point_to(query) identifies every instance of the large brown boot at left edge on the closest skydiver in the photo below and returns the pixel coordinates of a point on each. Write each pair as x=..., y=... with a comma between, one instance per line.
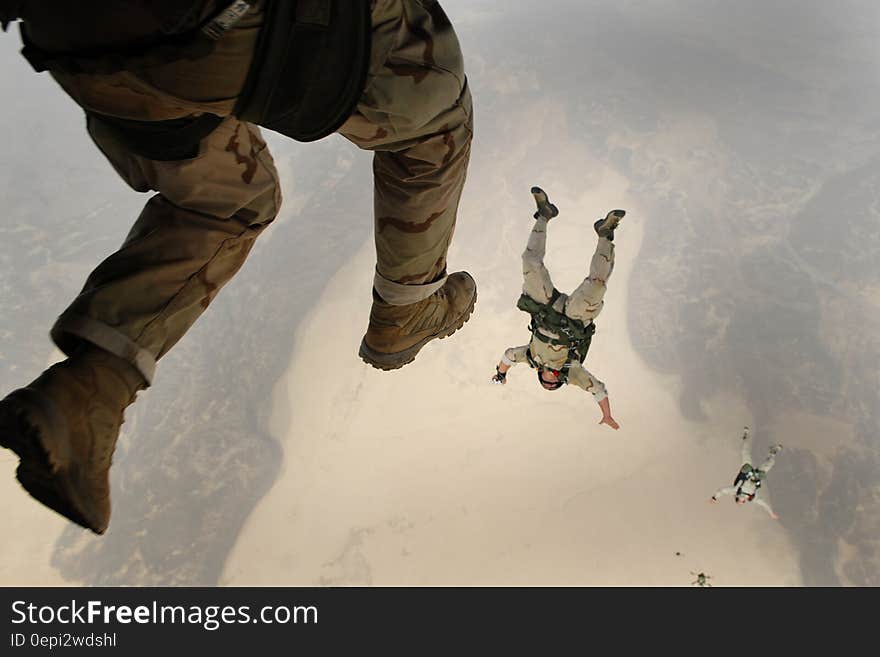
x=64, y=428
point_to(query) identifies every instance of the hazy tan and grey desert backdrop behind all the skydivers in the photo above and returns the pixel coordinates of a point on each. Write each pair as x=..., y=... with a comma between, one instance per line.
x=744, y=140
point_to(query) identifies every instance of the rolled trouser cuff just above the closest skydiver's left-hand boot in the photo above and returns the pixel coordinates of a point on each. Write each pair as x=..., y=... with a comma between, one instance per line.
x=70, y=329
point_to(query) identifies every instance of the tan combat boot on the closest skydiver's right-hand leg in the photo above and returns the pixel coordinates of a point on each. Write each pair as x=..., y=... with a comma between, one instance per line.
x=397, y=333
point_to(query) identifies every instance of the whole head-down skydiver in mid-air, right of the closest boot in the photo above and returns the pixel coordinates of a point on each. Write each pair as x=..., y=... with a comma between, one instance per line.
x=562, y=325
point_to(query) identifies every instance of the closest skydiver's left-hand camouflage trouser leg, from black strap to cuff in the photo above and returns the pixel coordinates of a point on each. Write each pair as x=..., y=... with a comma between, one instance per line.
x=190, y=239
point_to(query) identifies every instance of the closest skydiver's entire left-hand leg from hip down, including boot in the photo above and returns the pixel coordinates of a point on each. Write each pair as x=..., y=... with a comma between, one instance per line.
x=189, y=240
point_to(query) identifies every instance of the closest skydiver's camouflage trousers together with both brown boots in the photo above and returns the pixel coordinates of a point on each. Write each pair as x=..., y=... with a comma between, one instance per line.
x=196, y=232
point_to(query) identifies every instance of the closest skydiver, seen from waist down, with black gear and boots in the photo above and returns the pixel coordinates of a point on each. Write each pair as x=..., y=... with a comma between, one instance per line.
x=173, y=93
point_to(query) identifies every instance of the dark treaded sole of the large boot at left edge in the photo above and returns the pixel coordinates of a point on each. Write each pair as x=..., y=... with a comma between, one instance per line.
x=47, y=484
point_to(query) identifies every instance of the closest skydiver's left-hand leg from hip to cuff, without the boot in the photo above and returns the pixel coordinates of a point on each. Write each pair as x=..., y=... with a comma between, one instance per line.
x=196, y=232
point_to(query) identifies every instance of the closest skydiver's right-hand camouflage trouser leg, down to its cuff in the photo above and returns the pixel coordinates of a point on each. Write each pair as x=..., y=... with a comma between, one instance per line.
x=416, y=115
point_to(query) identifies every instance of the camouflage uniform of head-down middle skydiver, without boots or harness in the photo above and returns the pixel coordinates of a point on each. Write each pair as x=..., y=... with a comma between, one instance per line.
x=584, y=304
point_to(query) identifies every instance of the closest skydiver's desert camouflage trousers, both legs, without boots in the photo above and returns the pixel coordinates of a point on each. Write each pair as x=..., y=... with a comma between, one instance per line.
x=197, y=231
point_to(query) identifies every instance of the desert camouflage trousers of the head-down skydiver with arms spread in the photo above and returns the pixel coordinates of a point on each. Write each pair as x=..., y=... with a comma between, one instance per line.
x=586, y=302
